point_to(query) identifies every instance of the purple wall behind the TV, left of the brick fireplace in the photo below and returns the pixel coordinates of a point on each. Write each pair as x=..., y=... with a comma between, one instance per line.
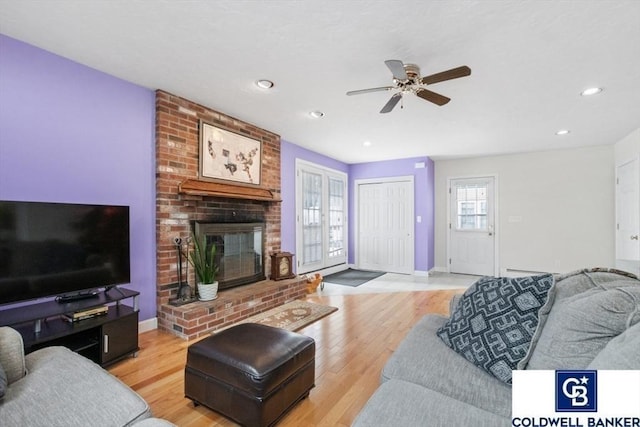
x=69, y=133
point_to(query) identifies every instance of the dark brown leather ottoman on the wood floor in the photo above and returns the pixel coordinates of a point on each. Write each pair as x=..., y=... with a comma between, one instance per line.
x=251, y=373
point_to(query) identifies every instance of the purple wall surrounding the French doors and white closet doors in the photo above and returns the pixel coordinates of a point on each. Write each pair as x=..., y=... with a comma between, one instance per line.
x=424, y=196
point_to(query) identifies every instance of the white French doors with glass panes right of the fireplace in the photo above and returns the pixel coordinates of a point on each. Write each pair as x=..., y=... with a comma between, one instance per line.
x=321, y=206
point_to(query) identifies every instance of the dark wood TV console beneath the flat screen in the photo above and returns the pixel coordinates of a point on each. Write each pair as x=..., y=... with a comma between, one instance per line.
x=103, y=339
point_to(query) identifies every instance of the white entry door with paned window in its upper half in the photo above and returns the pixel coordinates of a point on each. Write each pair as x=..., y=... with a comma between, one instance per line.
x=471, y=226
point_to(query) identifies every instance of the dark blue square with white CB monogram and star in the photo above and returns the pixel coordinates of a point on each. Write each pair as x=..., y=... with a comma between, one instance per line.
x=576, y=391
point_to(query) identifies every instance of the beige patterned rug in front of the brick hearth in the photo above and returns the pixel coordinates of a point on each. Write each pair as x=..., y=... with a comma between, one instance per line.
x=291, y=316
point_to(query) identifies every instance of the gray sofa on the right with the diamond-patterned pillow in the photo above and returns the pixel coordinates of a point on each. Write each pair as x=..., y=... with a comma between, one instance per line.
x=588, y=319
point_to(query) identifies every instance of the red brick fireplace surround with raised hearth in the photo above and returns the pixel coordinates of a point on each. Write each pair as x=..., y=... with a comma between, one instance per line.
x=177, y=141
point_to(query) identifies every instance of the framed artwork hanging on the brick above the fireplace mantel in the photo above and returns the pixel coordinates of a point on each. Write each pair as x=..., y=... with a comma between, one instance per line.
x=225, y=155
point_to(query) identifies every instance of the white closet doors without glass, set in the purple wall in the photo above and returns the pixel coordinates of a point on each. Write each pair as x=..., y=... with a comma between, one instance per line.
x=385, y=226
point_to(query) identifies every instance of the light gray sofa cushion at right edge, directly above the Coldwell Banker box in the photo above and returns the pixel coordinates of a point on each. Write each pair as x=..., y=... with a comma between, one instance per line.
x=622, y=352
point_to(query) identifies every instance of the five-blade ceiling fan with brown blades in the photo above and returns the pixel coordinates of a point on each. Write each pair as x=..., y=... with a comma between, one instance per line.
x=406, y=78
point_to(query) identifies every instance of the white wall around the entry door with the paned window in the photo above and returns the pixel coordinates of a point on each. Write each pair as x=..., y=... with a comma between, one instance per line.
x=565, y=199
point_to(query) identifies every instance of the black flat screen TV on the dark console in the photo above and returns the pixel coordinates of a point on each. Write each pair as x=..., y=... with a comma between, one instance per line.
x=52, y=249
